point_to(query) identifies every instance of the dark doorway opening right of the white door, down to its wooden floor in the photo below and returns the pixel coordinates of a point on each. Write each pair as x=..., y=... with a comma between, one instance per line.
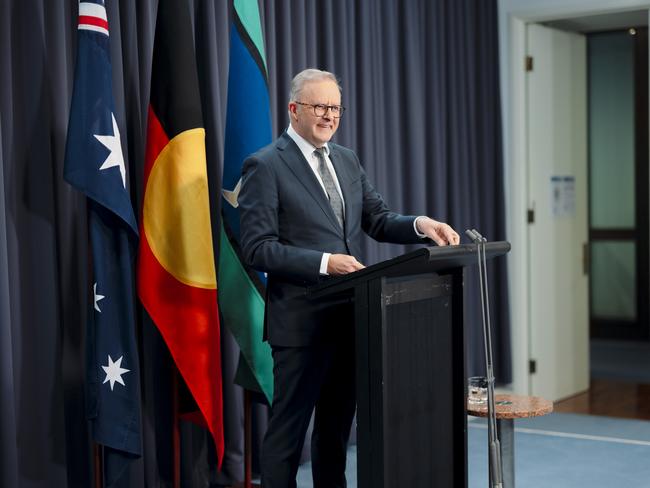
x=619, y=322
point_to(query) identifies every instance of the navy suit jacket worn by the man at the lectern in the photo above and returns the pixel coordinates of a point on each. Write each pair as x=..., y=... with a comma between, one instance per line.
x=287, y=224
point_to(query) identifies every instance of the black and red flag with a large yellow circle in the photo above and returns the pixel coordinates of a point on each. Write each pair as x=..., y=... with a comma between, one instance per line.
x=176, y=272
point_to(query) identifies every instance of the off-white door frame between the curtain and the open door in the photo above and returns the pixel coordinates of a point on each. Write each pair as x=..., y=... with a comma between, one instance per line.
x=512, y=40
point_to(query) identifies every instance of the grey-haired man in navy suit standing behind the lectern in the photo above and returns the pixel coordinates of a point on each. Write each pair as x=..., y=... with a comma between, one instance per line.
x=304, y=204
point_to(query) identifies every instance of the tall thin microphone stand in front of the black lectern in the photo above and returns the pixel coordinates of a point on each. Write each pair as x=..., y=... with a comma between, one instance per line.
x=494, y=447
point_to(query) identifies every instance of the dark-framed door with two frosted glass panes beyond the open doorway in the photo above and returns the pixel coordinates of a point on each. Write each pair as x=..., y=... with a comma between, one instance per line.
x=618, y=189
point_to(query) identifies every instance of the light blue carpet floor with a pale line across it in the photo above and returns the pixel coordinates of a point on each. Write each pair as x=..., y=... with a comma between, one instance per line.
x=559, y=450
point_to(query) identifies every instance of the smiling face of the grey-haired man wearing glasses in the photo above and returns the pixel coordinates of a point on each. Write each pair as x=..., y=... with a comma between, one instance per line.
x=317, y=130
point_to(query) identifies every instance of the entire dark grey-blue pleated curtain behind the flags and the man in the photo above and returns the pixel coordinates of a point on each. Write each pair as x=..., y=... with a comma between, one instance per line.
x=420, y=81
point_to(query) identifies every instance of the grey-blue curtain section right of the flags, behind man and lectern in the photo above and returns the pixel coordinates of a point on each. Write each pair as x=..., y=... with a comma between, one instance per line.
x=420, y=82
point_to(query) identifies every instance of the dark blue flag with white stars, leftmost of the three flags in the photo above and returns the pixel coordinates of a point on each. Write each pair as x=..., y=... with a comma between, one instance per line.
x=94, y=164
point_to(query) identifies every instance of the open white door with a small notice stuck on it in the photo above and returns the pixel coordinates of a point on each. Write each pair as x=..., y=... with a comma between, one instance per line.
x=556, y=97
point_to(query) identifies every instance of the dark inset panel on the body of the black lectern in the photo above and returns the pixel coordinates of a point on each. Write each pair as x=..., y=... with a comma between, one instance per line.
x=417, y=380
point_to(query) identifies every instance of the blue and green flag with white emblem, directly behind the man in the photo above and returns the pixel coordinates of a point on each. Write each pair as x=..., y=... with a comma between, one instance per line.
x=248, y=128
